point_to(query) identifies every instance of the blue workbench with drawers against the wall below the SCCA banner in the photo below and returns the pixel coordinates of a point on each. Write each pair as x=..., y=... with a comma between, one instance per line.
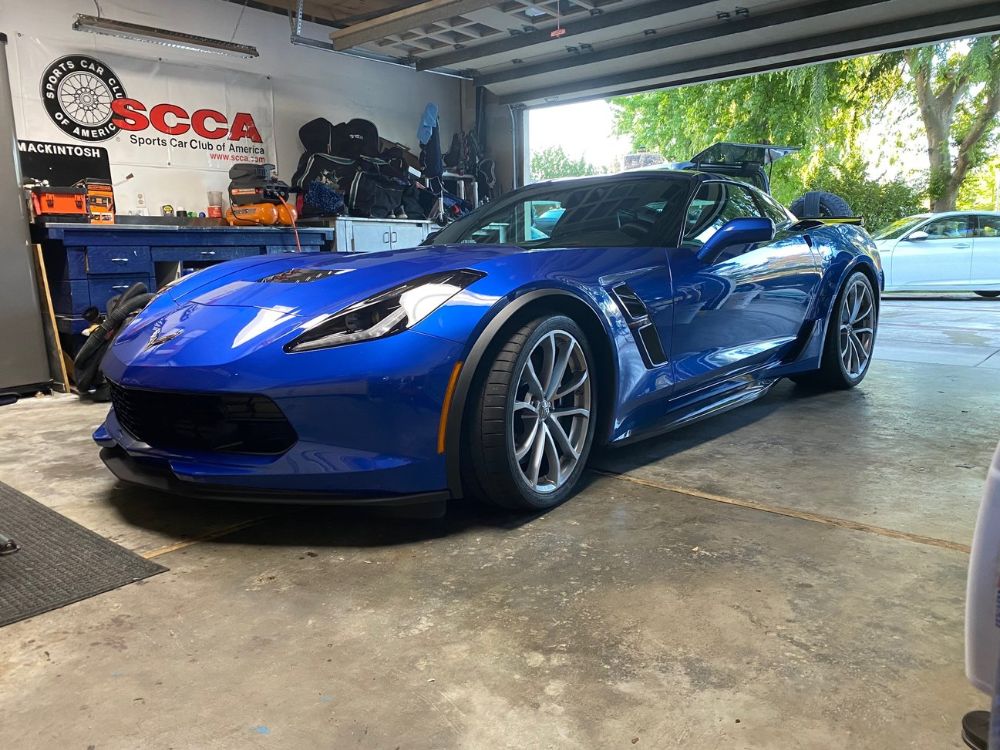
x=88, y=264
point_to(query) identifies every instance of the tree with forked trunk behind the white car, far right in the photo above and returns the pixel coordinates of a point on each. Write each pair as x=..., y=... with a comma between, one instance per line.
x=957, y=89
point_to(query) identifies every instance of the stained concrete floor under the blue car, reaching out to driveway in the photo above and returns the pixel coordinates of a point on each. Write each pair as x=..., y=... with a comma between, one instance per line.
x=790, y=574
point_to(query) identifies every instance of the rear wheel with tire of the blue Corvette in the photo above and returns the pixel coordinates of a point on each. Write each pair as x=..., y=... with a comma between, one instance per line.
x=850, y=337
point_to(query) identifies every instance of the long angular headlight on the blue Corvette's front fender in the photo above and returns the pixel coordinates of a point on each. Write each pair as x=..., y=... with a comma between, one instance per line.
x=384, y=314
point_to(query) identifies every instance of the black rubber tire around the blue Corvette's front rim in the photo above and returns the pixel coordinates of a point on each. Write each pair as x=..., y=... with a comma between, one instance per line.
x=491, y=472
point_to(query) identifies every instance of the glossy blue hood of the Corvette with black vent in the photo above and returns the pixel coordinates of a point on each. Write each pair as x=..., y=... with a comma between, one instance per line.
x=310, y=283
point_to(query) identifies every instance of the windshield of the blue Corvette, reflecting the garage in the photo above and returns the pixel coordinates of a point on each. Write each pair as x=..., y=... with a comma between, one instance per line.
x=627, y=211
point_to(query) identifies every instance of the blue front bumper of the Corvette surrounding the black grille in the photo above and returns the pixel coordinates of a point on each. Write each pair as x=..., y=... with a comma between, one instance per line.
x=366, y=419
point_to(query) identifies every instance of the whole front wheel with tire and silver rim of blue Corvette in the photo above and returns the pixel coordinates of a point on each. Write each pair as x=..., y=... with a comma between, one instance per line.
x=532, y=420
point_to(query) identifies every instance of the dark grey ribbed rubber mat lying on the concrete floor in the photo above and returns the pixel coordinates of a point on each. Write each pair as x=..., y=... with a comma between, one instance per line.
x=60, y=562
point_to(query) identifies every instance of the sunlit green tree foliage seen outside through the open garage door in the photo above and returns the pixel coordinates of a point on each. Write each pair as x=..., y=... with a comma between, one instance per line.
x=826, y=109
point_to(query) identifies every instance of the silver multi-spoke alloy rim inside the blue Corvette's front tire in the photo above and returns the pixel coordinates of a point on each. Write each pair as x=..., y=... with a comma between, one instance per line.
x=551, y=411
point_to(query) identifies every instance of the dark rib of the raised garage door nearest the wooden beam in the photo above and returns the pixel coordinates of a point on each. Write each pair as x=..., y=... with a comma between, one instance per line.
x=523, y=40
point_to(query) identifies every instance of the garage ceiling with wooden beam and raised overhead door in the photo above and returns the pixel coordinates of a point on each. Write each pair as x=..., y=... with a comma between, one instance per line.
x=554, y=51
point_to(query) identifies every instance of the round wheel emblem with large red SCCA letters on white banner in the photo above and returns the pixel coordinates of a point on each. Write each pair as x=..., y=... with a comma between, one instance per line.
x=85, y=98
